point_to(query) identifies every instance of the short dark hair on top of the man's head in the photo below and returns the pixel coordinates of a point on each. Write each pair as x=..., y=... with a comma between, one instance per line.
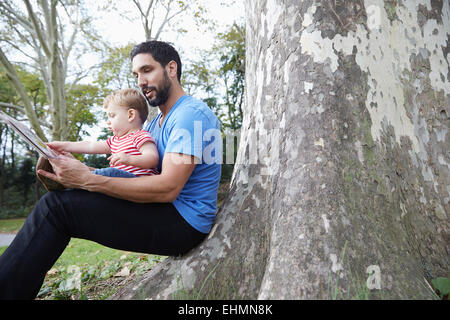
x=160, y=51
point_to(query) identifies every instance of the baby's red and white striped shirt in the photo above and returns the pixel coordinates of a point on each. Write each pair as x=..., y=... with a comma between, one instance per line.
x=130, y=144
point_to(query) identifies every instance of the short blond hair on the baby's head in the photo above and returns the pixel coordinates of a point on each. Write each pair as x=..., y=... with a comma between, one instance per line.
x=130, y=99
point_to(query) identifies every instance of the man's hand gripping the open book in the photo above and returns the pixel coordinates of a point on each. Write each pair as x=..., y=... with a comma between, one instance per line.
x=68, y=171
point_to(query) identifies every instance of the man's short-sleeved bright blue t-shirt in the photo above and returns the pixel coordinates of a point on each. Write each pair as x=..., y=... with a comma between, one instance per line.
x=192, y=128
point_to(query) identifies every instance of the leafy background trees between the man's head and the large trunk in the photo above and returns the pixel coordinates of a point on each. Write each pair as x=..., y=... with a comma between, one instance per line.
x=217, y=78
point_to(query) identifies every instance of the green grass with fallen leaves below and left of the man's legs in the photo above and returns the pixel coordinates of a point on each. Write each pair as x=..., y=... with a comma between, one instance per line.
x=97, y=265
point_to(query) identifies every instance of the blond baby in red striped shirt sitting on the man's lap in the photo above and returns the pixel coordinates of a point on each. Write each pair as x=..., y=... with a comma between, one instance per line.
x=133, y=150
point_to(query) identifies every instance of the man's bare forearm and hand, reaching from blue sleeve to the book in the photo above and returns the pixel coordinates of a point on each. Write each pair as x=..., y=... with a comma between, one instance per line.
x=165, y=187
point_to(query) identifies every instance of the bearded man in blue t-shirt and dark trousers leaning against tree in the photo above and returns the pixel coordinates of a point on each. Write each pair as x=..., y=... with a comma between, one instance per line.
x=166, y=214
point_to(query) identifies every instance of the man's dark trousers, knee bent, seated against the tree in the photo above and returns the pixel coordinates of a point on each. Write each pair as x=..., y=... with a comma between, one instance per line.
x=155, y=228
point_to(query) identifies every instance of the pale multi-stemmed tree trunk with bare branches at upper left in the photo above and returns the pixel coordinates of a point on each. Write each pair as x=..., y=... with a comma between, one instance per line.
x=43, y=25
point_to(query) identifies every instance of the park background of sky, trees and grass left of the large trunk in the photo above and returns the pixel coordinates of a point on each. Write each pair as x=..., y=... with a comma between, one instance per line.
x=93, y=40
